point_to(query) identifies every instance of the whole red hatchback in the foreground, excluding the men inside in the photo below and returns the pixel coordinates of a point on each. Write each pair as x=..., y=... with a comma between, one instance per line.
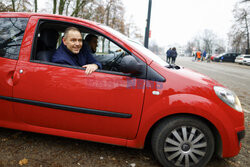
x=186, y=116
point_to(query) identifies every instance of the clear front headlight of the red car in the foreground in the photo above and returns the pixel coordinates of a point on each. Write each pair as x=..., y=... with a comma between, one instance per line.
x=229, y=97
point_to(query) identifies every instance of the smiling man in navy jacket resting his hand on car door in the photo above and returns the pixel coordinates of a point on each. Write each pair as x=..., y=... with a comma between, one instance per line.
x=70, y=52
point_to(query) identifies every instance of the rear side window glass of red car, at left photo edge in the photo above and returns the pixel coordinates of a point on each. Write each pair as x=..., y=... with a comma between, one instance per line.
x=11, y=35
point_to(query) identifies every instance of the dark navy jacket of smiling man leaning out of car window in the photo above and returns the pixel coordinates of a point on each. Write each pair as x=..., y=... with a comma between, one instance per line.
x=65, y=56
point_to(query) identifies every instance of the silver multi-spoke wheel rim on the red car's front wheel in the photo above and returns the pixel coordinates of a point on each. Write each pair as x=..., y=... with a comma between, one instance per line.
x=185, y=146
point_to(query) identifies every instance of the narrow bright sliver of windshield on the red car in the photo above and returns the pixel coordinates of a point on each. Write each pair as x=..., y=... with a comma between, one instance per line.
x=137, y=45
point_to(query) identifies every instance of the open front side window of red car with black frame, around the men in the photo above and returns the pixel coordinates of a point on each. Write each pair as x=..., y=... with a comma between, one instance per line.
x=108, y=53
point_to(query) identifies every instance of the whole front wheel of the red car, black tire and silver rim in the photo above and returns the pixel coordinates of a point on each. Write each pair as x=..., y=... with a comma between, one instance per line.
x=183, y=141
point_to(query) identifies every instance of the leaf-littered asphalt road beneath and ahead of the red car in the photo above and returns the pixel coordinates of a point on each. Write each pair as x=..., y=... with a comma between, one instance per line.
x=38, y=150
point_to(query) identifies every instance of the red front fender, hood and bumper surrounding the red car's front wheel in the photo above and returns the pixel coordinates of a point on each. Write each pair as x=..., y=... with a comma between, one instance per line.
x=194, y=101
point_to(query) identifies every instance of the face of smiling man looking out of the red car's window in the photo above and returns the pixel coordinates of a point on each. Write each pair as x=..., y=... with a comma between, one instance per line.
x=73, y=41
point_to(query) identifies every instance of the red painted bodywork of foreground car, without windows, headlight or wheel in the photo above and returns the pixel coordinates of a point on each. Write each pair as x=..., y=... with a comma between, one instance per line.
x=38, y=97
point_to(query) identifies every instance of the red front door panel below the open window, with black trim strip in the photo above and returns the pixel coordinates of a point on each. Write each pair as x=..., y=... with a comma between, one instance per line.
x=64, y=97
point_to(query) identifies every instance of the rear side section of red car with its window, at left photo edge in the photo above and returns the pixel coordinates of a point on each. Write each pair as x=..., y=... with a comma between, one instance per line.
x=12, y=31
